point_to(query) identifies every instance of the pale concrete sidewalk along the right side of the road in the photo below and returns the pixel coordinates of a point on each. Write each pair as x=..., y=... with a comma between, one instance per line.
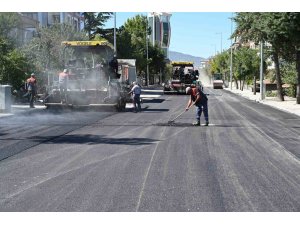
x=289, y=105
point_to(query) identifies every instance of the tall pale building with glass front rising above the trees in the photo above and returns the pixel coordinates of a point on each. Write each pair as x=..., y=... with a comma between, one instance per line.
x=161, y=30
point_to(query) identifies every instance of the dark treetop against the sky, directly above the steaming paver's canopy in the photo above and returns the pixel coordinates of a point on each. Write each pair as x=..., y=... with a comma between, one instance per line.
x=94, y=22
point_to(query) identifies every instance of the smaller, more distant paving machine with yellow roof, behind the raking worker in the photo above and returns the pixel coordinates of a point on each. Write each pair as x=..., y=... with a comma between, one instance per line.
x=183, y=75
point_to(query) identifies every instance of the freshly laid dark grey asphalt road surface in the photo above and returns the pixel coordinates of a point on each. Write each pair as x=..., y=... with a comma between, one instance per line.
x=246, y=160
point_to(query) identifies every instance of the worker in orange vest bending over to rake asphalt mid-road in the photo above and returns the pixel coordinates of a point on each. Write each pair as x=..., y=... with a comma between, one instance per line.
x=199, y=99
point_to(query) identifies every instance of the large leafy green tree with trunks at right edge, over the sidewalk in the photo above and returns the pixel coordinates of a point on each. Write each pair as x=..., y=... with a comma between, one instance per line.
x=281, y=30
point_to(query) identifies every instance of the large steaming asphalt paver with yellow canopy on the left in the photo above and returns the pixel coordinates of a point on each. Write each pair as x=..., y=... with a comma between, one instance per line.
x=93, y=78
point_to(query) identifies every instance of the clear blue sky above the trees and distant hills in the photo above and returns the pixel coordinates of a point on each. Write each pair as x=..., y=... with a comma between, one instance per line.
x=193, y=33
